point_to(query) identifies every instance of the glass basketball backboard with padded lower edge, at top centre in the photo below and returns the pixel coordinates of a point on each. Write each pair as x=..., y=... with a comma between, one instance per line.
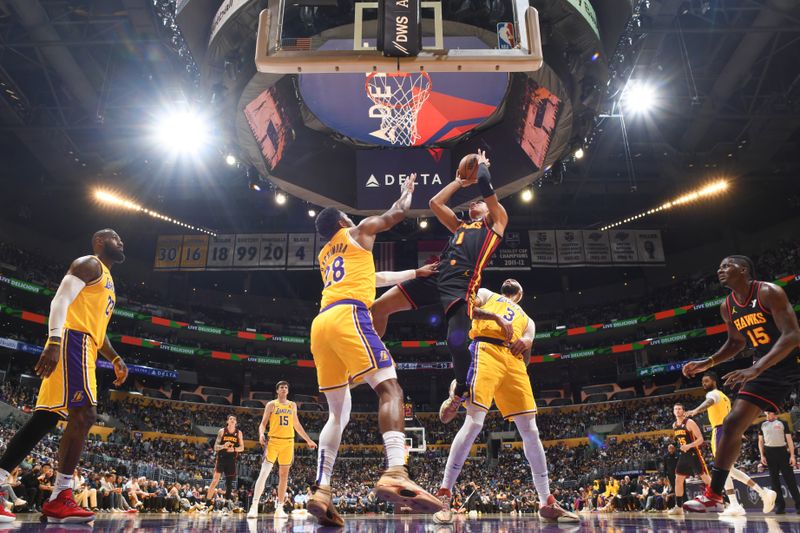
x=337, y=36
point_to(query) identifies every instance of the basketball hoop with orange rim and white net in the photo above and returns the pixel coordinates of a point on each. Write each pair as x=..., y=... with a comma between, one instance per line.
x=398, y=98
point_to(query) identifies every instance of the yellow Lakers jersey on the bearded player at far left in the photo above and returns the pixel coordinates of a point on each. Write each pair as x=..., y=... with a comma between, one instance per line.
x=91, y=310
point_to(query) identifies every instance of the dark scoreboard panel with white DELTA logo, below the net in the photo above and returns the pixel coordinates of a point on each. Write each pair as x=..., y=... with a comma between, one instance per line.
x=380, y=173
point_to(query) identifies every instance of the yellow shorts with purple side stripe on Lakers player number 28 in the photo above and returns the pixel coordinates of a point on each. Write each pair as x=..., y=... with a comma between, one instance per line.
x=345, y=346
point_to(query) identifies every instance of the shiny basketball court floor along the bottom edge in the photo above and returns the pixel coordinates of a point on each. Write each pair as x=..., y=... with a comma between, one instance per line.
x=611, y=523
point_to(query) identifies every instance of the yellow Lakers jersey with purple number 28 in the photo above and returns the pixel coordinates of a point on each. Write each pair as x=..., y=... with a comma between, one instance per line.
x=348, y=271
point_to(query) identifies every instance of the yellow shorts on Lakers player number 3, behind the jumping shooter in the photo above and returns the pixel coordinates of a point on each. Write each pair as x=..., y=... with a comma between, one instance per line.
x=495, y=374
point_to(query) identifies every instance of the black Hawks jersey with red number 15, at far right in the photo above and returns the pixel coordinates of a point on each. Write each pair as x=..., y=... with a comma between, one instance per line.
x=756, y=324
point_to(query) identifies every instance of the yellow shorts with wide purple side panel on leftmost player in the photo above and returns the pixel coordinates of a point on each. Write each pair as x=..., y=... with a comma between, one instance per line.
x=73, y=383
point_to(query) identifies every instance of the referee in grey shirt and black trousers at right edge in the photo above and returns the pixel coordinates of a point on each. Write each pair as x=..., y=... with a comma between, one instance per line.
x=777, y=454
